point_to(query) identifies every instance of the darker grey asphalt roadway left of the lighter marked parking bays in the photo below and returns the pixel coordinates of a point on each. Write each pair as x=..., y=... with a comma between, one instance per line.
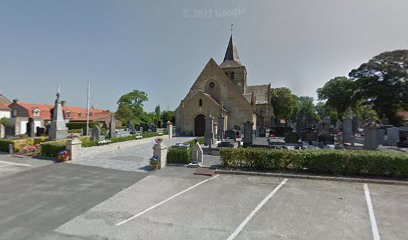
x=37, y=196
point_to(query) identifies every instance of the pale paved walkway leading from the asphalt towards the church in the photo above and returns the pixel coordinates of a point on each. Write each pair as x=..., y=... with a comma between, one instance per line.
x=129, y=159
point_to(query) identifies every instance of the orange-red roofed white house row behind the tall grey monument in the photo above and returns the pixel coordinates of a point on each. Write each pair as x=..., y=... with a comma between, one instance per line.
x=42, y=115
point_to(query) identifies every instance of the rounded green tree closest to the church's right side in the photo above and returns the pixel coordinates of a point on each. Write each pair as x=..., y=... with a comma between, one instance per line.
x=283, y=102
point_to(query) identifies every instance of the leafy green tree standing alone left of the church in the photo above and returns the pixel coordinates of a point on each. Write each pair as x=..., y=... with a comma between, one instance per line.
x=130, y=107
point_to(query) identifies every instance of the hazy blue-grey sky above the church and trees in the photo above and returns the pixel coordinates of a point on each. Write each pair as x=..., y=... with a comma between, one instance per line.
x=161, y=47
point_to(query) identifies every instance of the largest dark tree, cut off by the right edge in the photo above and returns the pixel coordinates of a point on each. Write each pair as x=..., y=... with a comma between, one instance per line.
x=383, y=81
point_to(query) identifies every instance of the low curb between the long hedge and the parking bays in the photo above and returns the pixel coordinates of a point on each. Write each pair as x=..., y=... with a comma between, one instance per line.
x=312, y=177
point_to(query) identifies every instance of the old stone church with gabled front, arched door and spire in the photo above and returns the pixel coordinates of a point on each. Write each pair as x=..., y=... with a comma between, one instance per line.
x=222, y=91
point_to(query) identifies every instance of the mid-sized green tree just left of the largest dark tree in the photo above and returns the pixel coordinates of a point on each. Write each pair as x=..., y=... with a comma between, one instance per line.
x=339, y=94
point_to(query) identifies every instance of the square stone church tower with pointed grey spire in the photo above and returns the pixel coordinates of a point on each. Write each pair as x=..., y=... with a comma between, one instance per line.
x=233, y=67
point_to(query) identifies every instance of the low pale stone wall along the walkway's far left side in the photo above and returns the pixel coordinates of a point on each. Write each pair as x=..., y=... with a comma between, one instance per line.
x=86, y=152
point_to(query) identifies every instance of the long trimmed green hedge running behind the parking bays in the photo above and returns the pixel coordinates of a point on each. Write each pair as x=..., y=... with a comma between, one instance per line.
x=324, y=161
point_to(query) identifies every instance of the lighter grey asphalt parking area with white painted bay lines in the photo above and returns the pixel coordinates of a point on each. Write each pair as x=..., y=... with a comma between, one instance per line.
x=175, y=204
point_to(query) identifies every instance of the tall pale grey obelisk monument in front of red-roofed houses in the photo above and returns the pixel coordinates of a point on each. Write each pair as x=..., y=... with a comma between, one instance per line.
x=58, y=128
